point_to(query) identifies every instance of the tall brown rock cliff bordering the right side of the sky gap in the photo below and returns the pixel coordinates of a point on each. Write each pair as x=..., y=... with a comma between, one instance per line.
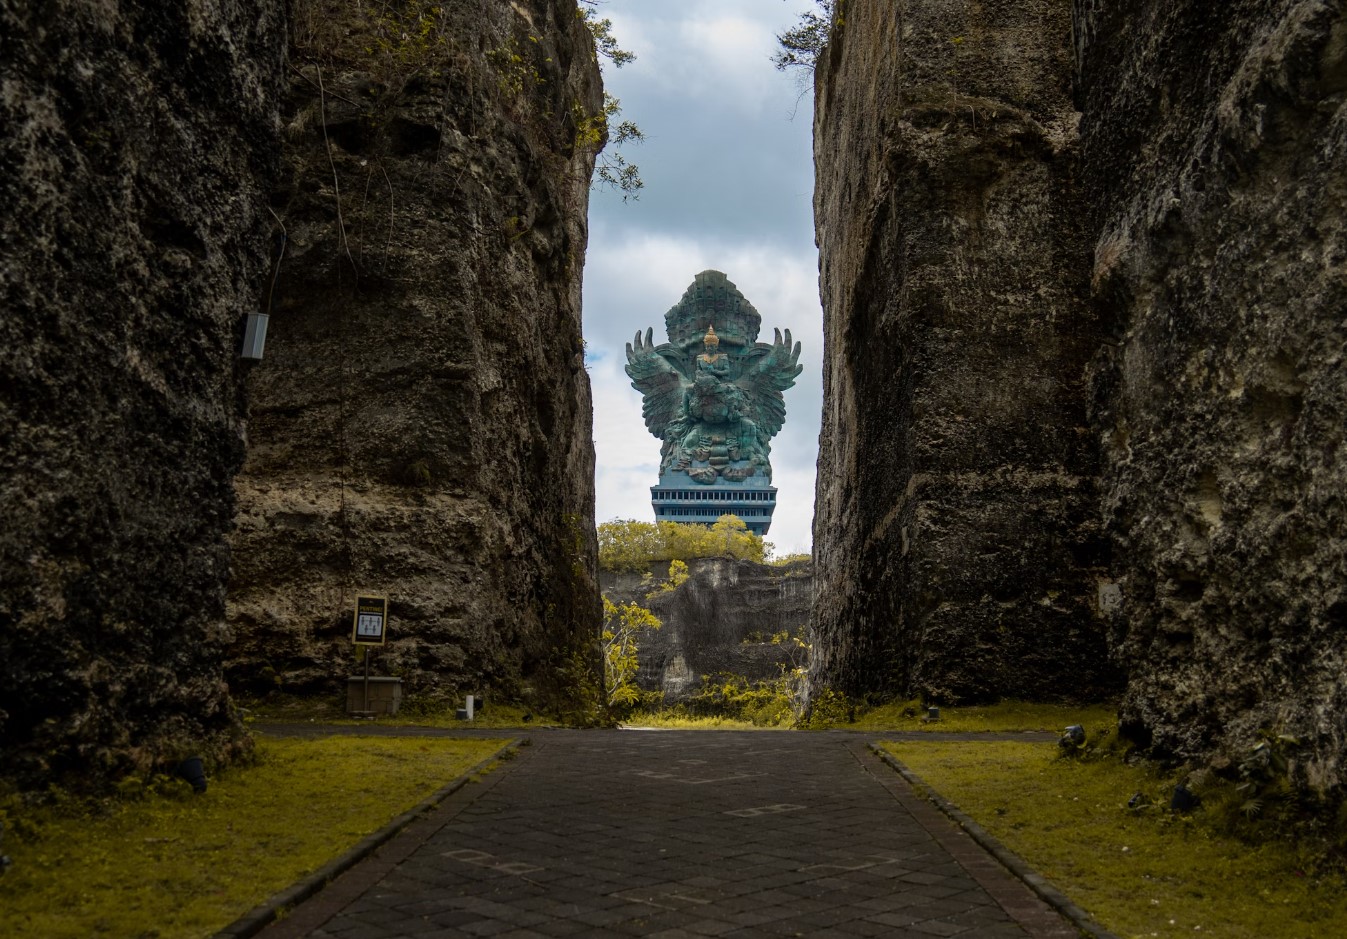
x=954, y=538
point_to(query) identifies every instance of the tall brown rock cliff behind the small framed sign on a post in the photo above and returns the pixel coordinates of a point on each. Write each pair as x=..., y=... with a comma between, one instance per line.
x=421, y=426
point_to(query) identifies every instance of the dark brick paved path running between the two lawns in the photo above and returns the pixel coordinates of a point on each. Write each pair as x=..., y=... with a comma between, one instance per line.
x=680, y=835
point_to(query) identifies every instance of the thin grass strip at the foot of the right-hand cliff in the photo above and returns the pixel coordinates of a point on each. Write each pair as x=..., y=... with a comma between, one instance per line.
x=1006, y=717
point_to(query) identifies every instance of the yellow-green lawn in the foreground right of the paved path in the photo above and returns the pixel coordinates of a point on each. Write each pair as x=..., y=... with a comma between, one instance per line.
x=1147, y=874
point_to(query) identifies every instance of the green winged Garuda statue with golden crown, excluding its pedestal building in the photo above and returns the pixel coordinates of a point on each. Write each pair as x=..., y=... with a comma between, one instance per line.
x=713, y=393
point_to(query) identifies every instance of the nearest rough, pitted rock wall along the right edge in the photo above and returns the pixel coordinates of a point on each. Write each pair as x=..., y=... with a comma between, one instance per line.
x=1216, y=142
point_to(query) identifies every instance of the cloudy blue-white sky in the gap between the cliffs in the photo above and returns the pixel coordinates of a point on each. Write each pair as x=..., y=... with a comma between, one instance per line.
x=729, y=181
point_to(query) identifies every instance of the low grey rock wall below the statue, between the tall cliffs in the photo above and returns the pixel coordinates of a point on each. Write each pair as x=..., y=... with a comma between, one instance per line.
x=720, y=620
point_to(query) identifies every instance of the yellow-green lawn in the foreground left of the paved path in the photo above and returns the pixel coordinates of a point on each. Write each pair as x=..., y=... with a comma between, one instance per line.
x=170, y=864
